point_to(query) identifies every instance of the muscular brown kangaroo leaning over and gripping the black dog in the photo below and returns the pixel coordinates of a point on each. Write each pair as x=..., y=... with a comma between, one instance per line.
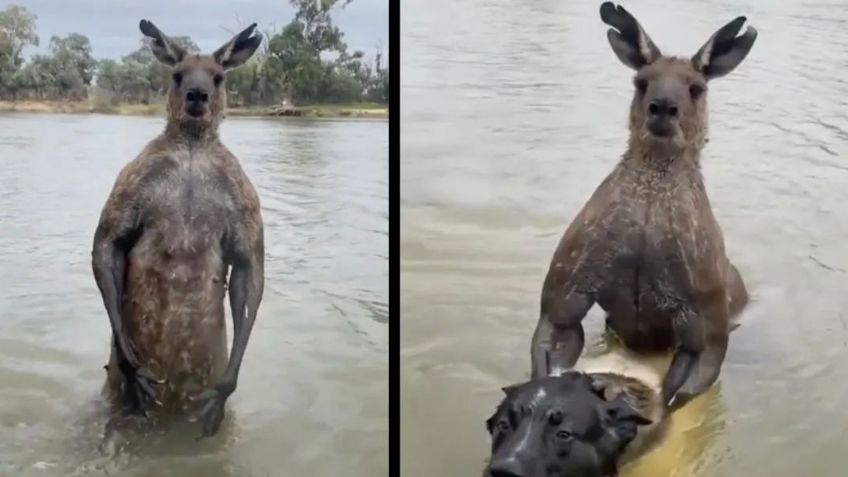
x=646, y=247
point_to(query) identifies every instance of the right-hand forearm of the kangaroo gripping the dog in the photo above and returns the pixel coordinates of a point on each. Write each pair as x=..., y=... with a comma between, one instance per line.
x=702, y=345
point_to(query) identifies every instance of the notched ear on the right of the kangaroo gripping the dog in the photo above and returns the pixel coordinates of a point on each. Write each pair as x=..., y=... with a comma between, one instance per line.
x=724, y=50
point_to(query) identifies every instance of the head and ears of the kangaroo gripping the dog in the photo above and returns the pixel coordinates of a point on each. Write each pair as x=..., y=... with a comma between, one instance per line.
x=669, y=106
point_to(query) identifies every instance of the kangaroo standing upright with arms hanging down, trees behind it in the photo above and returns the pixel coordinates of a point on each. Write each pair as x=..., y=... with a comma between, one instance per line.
x=179, y=217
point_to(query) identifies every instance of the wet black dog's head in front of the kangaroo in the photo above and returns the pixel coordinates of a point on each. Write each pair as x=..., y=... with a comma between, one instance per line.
x=560, y=427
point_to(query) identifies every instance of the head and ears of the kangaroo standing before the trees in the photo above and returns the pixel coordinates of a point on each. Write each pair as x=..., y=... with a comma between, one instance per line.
x=197, y=96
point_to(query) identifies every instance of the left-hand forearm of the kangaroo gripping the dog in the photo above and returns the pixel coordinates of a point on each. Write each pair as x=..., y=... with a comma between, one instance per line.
x=558, y=339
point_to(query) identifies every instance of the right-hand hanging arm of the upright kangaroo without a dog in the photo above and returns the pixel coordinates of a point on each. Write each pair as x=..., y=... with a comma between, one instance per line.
x=245, y=287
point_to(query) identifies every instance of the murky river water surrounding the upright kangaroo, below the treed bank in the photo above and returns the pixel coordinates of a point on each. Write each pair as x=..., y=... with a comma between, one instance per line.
x=312, y=395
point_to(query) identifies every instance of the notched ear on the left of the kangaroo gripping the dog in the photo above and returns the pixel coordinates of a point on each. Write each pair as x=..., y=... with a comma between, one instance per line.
x=630, y=43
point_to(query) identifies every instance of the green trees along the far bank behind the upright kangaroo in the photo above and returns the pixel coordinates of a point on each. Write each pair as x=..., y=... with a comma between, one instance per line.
x=306, y=62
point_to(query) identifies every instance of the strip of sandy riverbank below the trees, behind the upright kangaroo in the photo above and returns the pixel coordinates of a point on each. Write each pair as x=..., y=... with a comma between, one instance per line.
x=364, y=110
